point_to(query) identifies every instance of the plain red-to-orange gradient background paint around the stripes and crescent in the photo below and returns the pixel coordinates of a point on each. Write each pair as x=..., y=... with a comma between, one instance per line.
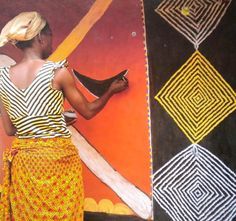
x=115, y=43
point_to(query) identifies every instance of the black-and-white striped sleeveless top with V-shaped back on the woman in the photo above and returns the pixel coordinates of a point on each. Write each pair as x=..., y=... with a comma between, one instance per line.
x=37, y=111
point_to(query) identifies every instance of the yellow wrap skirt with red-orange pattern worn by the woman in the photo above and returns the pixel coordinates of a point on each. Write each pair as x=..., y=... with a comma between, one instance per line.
x=43, y=181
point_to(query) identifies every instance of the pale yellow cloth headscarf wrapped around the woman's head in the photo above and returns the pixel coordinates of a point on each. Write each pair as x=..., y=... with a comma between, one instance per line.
x=23, y=27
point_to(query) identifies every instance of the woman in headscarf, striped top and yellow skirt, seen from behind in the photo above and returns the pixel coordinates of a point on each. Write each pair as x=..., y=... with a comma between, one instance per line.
x=43, y=171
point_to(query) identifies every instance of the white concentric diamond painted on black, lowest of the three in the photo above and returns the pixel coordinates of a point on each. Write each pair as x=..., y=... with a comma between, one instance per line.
x=196, y=186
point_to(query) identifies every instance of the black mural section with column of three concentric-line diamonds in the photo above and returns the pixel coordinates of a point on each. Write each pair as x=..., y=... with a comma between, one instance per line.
x=190, y=100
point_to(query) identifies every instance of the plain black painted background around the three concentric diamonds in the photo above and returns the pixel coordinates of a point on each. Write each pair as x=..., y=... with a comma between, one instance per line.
x=168, y=50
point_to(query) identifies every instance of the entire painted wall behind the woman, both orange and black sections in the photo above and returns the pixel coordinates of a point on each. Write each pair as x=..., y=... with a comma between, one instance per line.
x=178, y=114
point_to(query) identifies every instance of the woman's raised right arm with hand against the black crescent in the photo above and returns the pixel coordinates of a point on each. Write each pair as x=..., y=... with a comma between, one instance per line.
x=65, y=81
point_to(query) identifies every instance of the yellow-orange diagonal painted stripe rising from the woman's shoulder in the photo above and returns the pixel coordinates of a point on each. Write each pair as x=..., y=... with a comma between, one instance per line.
x=79, y=32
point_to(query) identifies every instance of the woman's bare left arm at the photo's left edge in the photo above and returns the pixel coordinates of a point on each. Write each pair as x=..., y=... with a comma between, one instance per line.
x=7, y=124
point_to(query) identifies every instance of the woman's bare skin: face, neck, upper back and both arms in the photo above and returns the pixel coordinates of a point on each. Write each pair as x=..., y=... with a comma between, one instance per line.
x=23, y=73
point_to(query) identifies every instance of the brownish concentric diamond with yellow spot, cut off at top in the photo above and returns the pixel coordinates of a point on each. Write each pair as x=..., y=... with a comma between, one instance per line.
x=195, y=19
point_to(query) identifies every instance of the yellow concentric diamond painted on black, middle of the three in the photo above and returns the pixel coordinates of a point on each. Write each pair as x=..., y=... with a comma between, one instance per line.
x=197, y=97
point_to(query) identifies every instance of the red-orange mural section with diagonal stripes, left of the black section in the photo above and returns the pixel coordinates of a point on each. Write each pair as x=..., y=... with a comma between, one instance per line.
x=99, y=41
